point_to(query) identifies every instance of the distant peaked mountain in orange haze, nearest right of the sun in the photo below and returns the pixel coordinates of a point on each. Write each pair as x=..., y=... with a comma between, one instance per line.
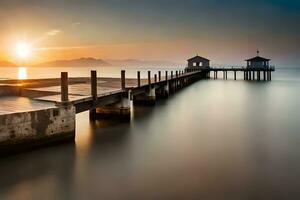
x=80, y=62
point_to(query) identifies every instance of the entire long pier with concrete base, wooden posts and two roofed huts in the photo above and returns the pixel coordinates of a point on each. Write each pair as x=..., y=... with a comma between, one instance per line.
x=41, y=111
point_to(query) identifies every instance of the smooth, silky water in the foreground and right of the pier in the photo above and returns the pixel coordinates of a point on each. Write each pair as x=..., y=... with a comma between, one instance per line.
x=216, y=139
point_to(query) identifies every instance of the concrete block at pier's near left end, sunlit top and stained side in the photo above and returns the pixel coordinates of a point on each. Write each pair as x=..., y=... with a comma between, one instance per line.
x=27, y=123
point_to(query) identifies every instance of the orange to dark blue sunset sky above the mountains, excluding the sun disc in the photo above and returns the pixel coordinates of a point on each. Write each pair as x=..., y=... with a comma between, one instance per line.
x=225, y=31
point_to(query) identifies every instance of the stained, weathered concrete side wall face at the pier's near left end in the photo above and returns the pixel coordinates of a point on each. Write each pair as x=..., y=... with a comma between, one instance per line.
x=28, y=129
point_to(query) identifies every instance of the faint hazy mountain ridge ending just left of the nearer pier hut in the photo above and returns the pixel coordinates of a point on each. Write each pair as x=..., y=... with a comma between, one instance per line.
x=143, y=63
